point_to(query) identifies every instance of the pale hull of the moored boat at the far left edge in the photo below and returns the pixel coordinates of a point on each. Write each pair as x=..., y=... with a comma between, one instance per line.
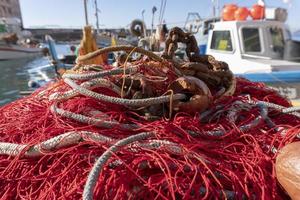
x=17, y=52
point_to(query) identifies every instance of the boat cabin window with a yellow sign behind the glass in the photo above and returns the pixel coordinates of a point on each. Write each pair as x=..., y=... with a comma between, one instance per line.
x=221, y=40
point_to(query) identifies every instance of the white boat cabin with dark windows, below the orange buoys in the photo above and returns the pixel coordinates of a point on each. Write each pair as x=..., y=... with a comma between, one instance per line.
x=250, y=46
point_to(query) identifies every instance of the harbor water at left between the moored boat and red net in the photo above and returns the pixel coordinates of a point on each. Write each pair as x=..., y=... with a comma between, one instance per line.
x=14, y=75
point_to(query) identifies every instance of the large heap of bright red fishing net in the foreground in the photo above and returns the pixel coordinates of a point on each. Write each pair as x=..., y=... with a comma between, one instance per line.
x=228, y=151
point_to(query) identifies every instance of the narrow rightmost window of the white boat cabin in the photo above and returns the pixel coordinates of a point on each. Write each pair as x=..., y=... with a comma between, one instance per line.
x=277, y=39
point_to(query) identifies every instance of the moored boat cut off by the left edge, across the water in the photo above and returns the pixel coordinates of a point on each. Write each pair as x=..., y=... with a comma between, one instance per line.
x=15, y=43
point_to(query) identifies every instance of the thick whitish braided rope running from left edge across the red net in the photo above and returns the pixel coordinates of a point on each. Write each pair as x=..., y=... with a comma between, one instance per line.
x=75, y=137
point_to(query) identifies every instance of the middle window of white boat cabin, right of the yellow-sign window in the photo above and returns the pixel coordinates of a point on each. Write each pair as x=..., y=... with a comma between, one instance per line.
x=251, y=40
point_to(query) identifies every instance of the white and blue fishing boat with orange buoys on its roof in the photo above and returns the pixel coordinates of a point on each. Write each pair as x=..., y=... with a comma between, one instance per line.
x=260, y=49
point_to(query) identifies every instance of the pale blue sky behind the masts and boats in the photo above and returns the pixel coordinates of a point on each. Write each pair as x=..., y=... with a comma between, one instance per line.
x=119, y=13
